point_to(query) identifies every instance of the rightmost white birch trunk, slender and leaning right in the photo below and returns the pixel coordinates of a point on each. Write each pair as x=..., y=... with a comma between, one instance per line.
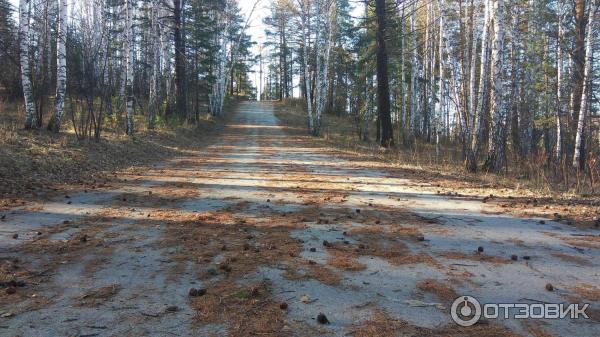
x=579, y=137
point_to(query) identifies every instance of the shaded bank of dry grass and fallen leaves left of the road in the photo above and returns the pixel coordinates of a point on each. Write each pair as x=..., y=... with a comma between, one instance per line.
x=34, y=164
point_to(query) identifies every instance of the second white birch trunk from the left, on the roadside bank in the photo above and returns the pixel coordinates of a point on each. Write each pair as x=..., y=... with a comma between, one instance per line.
x=61, y=68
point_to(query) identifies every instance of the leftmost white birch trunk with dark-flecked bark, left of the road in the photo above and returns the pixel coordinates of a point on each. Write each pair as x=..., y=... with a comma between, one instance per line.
x=24, y=24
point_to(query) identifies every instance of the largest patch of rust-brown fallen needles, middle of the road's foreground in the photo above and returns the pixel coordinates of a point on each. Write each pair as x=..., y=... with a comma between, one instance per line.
x=241, y=246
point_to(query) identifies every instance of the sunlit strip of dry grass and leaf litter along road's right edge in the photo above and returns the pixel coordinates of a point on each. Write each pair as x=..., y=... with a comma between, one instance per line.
x=444, y=174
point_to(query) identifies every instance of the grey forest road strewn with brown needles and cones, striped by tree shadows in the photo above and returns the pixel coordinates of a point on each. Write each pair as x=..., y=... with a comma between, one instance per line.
x=264, y=216
